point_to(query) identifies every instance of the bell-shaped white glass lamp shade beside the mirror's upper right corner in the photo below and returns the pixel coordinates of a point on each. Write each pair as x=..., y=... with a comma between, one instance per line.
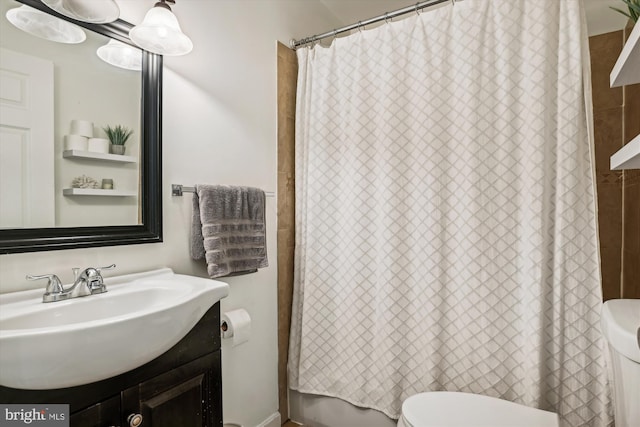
x=160, y=32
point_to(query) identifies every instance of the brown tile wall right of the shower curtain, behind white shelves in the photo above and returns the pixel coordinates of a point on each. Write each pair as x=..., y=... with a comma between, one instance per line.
x=616, y=121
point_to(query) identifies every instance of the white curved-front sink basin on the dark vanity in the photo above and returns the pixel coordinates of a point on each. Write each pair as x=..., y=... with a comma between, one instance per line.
x=82, y=340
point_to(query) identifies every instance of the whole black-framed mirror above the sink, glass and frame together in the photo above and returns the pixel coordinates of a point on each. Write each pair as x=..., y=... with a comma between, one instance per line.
x=81, y=196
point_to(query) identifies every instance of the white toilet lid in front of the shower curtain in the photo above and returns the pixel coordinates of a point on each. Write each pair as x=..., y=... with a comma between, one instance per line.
x=454, y=409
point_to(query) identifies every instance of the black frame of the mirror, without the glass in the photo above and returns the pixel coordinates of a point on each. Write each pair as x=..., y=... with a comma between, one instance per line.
x=47, y=239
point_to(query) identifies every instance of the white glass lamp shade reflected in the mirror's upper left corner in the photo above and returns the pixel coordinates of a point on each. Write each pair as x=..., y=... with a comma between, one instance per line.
x=45, y=26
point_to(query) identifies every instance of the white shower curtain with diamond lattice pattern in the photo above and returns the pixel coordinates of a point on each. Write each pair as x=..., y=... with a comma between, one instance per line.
x=445, y=212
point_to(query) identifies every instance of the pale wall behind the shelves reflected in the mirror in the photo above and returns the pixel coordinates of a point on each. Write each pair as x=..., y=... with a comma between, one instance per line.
x=104, y=95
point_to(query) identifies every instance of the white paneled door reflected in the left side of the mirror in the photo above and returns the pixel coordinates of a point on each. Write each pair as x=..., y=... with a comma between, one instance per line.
x=26, y=141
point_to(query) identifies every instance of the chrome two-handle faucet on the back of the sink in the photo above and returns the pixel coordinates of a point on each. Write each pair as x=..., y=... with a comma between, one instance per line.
x=88, y=282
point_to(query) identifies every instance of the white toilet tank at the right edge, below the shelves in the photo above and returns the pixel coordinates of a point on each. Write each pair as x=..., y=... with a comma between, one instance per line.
x=621, y=327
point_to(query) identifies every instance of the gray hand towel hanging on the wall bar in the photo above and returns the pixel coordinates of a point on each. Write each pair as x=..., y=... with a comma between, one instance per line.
x=228, y=229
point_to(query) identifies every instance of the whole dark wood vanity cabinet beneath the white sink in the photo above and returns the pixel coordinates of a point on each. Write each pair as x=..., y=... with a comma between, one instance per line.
x=181, y=388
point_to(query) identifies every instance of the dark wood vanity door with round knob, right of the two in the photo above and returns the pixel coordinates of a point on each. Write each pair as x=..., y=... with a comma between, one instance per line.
x=183, y=396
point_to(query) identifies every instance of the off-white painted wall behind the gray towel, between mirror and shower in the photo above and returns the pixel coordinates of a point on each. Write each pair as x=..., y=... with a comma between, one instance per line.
x=219, y=126
